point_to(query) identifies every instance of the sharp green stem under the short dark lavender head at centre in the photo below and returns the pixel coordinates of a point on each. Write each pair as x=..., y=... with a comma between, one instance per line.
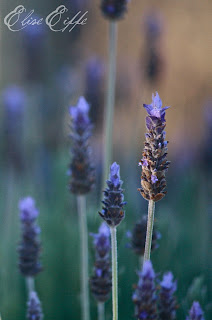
x=114, y=272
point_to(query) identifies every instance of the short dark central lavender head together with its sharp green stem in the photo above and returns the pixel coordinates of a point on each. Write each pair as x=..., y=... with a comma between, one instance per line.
x=113, y=214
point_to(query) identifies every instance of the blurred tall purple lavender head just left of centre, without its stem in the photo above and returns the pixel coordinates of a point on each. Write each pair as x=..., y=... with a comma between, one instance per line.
x=81, y=168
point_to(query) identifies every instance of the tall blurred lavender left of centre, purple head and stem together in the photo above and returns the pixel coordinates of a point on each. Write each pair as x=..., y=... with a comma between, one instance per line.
x=82, y=182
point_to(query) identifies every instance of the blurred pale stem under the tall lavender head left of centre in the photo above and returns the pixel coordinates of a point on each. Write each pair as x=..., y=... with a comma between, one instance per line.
x=81, y=203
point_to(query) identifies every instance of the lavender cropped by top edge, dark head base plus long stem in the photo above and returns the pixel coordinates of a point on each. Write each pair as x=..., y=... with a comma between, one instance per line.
x=112, y=10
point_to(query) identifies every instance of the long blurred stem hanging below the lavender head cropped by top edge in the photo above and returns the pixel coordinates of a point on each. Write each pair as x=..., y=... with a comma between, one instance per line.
x=110, y=100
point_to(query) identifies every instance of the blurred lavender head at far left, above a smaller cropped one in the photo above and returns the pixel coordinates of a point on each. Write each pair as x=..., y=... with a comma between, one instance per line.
x=29, y=247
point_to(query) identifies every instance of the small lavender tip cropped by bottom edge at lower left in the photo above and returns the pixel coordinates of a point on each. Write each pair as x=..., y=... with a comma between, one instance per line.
x=34, y=310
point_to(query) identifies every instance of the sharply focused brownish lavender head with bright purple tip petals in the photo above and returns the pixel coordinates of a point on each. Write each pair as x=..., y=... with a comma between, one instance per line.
x=154, y=162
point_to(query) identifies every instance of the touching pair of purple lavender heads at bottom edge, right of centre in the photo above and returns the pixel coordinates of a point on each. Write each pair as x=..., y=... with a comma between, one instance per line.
x=150, y=305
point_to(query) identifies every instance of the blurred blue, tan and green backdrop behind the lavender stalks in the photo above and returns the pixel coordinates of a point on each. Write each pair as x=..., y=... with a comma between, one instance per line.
x=164, y=46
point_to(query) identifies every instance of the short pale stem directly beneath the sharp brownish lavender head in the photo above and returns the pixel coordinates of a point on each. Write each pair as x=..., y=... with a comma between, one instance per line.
x=150, y=223
